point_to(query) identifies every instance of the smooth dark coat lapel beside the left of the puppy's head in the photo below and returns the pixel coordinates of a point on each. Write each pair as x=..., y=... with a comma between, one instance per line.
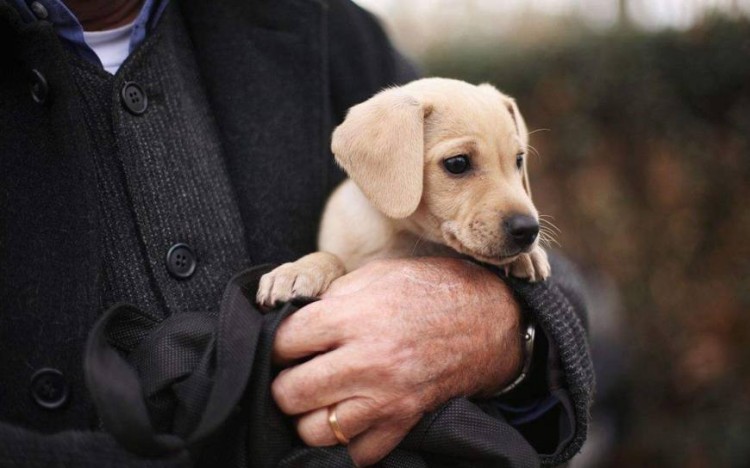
x=264, y=67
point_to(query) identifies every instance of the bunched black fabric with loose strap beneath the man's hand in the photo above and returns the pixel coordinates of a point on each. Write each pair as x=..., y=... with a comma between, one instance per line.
x=194, y=372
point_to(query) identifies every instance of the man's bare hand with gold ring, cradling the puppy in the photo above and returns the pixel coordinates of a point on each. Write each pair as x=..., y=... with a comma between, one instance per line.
x=390, y=341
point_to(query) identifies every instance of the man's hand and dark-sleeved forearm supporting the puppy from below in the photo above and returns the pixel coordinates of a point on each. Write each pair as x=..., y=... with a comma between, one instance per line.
x=397, y=338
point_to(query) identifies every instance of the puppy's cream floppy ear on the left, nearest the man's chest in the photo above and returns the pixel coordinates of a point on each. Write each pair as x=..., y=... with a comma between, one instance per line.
x=381, y=146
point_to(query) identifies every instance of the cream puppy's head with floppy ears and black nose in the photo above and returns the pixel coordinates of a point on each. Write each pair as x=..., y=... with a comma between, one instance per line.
x=449, y=159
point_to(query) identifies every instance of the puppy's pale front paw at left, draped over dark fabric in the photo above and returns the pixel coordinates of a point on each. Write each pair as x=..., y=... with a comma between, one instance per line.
x=309, y=276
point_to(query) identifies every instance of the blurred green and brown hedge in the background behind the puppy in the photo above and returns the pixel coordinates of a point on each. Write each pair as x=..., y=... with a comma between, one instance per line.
x=646, y=169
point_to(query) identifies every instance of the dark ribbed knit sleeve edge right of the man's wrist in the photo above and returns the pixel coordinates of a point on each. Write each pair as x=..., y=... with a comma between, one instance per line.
x=558, y=306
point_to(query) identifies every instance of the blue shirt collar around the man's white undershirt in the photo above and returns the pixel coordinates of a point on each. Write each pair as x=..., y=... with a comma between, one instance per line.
x=70, y=31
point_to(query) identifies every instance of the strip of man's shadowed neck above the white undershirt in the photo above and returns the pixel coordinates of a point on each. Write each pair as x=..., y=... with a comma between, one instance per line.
x=99, y=15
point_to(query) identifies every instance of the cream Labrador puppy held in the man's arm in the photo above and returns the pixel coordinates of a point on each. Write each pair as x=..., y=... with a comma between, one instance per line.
x=437, y=168
